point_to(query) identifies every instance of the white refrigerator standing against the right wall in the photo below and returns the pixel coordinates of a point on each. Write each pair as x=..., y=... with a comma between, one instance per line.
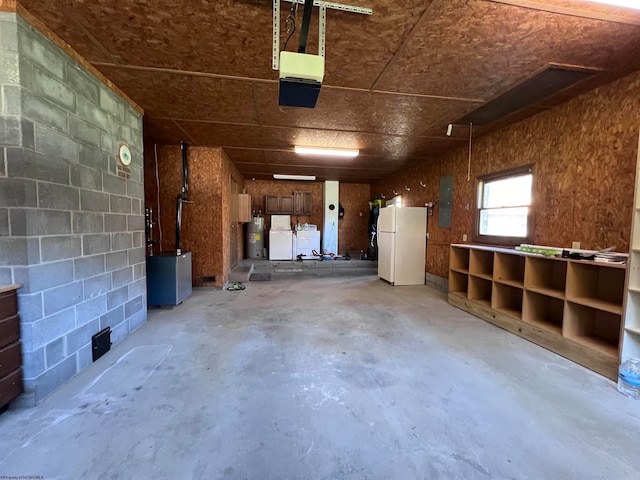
x=402, y=240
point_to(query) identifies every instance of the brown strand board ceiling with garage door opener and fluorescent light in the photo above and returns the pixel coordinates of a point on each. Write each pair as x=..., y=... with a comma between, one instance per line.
x=202, y=71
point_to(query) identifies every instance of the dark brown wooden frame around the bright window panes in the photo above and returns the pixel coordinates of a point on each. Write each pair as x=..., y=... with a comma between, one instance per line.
x=501, y=175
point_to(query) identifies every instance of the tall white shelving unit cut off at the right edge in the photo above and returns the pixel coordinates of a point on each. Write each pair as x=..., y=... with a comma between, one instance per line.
x=630, y=333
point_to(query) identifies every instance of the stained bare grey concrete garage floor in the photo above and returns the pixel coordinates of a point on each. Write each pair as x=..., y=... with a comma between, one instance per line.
x=325, y=374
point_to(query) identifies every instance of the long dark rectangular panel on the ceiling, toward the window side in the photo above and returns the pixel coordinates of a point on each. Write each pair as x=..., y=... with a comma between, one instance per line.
x=542, y=86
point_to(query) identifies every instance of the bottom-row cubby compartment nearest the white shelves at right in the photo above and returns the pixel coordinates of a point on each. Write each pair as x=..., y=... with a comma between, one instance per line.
x=594, y=328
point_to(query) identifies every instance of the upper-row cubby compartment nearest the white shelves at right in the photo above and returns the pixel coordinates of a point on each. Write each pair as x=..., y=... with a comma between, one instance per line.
x=596, y=286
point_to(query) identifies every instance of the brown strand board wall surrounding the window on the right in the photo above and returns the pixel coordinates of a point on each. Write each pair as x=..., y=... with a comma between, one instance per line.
x=584, y=153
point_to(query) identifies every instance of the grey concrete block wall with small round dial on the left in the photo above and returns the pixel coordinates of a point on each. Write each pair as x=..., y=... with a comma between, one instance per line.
x=71, y=224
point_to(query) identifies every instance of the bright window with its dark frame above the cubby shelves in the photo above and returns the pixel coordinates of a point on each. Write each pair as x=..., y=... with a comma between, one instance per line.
x=504, y=207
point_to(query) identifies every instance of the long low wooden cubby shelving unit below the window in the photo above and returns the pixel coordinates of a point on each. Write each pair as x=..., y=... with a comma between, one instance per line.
x=571, y=307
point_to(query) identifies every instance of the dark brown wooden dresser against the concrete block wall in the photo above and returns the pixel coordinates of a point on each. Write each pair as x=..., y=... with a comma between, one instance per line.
x=10, y=352
